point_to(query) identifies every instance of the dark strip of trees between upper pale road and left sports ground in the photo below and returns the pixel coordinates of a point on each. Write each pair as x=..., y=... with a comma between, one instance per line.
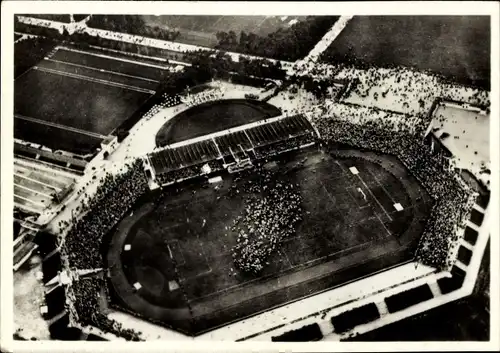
x=206, y=65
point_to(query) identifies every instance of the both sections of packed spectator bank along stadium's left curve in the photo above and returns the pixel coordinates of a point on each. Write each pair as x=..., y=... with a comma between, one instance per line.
x=81, y=246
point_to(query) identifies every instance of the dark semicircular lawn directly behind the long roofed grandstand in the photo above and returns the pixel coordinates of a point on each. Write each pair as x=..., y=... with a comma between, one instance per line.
x=210, y=117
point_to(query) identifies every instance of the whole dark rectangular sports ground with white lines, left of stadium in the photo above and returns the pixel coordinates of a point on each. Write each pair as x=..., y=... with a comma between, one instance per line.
x=74, y=99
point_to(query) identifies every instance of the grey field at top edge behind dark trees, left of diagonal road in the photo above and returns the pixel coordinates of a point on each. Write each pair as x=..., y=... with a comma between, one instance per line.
x=201, y=30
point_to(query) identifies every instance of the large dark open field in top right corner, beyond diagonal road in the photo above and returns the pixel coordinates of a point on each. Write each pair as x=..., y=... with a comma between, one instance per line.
x=454, y=46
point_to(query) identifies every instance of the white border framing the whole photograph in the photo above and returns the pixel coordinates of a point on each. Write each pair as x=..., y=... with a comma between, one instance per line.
x=9, y=8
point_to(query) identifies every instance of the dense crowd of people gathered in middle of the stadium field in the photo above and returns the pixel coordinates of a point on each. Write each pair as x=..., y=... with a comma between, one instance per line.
x=272, y=211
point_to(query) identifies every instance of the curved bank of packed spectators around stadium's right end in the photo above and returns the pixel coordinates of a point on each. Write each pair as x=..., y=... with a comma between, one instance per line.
x=454, y=199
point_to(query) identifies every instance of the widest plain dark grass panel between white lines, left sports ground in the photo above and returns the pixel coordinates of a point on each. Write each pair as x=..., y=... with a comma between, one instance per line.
x=73, y=102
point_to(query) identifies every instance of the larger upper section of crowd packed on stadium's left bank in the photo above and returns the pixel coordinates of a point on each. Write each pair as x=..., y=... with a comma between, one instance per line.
x=113, y=198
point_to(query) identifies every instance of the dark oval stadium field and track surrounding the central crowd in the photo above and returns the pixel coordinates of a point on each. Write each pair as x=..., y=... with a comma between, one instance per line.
x=170, y=261
